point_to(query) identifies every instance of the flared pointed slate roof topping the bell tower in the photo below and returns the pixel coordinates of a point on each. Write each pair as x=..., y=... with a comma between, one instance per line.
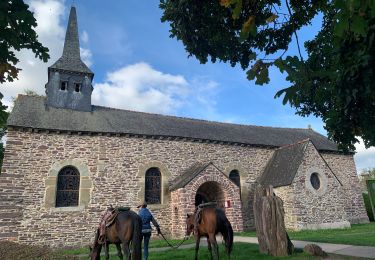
x=71, y=58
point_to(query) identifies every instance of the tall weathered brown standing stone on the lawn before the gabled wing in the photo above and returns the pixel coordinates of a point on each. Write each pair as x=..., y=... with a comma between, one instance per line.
x=269, y=223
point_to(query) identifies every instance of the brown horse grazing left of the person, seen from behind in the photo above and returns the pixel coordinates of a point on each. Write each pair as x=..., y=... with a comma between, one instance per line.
x=126, y=228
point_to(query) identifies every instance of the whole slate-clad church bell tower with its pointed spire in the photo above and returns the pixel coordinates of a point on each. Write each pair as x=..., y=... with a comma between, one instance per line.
x=69, y=79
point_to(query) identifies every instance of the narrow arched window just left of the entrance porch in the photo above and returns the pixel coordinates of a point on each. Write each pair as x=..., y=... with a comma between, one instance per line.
x=153, y=186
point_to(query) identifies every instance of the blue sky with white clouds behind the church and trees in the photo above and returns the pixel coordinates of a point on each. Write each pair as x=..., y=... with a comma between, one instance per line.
x=139, y=67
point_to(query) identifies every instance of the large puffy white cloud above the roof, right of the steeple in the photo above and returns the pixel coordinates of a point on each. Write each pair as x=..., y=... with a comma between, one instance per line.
x=142, y=88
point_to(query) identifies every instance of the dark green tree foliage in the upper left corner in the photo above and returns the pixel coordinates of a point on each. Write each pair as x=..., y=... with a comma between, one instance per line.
x=17, y=32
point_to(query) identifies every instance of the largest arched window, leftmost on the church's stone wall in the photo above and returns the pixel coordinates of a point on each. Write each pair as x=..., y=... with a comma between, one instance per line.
x=67, y=192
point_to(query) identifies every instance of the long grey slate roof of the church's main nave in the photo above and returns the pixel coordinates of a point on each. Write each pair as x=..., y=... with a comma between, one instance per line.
x=31, y=112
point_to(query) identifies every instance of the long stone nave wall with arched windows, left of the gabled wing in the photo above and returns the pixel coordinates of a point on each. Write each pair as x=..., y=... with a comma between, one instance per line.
x=114, y=166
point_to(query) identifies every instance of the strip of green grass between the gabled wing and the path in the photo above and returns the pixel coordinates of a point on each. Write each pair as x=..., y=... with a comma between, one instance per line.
x=359, y=234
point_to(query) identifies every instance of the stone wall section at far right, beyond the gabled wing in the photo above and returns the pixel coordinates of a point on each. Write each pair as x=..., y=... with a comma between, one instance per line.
x=344, y=168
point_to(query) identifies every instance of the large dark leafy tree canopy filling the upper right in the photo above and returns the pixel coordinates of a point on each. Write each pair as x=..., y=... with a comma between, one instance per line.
x=336, y=82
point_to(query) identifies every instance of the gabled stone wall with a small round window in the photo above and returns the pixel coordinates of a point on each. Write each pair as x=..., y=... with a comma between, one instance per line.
x=309, y=208
